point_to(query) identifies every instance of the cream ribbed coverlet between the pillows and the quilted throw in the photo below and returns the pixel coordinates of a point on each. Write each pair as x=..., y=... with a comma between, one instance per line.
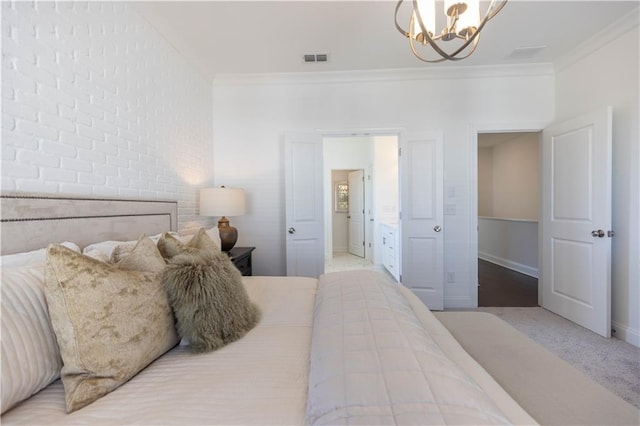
x=262, y=378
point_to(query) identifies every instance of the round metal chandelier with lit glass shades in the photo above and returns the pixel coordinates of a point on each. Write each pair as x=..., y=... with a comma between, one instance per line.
x=463, y=24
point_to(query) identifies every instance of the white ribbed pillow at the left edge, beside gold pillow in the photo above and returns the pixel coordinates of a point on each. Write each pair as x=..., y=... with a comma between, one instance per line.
x=30, y=355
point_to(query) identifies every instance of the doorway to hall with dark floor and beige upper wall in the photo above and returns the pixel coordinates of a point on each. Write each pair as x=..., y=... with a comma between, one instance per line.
x=508, y=206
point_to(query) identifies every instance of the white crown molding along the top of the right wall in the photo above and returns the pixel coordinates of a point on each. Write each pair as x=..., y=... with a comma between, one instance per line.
x=607, y=35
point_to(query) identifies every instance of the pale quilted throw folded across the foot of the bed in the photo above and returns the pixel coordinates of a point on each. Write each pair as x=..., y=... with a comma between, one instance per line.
x=373, y=362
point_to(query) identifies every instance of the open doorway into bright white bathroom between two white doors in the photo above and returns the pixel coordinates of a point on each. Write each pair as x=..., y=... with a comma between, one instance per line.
x=360, y=192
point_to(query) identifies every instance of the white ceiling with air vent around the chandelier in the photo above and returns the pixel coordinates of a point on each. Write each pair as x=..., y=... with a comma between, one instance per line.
x=255, y=37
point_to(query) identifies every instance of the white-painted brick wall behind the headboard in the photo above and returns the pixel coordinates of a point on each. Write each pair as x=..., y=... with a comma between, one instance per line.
x=96, y=102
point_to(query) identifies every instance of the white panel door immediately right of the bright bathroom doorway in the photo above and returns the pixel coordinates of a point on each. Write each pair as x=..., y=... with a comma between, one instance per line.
x=421, y=186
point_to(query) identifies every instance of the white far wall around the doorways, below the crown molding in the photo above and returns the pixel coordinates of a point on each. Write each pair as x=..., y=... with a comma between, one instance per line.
x=253, y=113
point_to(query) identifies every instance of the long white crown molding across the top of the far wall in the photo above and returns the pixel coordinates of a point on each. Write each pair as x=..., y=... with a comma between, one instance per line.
x=404, y=74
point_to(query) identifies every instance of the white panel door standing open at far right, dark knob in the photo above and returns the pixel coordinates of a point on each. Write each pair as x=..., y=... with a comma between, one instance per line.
x=576, y=220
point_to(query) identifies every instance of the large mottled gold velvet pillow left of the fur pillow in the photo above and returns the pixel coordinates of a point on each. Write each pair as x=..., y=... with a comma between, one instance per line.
x=110, y=322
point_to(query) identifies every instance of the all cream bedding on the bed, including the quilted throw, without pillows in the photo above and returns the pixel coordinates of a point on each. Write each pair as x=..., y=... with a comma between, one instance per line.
x=379, y=356
